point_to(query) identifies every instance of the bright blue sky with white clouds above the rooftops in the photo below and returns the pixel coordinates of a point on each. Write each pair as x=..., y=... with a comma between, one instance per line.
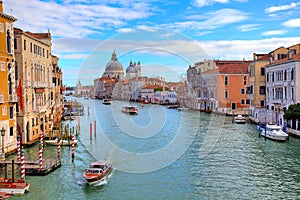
x=165, y=36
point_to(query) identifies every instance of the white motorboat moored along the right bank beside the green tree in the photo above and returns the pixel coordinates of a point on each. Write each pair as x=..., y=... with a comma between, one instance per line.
x=273, y=132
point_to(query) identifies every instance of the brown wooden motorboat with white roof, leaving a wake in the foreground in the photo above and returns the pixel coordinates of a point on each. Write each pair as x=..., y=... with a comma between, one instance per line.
x=97, y=171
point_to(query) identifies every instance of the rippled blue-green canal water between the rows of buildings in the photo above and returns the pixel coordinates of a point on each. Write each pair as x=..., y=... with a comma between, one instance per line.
x=169, y=154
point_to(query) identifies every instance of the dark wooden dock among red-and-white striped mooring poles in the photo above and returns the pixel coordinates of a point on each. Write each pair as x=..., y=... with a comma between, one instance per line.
x=32, y=168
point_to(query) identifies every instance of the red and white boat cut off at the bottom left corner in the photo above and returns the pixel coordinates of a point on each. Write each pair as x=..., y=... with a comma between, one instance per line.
x=13, y=186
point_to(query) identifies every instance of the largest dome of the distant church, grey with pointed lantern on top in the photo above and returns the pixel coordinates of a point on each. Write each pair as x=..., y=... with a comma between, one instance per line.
x=114, y=68
